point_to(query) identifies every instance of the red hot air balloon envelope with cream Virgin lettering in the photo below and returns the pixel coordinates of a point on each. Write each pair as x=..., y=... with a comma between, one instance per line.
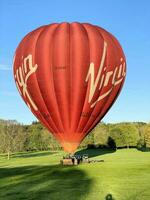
x=69, y=75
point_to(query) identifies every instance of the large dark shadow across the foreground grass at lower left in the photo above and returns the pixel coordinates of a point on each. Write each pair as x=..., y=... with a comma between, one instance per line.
x=44, y=183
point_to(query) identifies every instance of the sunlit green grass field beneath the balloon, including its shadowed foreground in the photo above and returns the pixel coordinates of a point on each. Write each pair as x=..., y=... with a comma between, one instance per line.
x=124, y=175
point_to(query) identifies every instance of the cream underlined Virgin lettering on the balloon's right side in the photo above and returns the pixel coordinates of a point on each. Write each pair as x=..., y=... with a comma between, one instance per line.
x=104, y=78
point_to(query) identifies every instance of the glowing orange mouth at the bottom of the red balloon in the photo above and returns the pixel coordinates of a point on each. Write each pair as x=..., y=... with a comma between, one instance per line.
x=70, y=147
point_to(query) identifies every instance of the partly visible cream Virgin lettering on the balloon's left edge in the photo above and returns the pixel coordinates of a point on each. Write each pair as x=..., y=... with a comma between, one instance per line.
x=23, y=73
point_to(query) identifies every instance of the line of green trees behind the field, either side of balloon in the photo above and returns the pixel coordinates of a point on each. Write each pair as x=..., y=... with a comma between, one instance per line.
x=15, y=137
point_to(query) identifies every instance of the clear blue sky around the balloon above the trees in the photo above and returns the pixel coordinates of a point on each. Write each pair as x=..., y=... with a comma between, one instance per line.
x=18, y=18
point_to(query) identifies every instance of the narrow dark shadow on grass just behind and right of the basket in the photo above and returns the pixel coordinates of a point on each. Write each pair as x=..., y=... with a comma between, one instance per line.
x=94, y=152
